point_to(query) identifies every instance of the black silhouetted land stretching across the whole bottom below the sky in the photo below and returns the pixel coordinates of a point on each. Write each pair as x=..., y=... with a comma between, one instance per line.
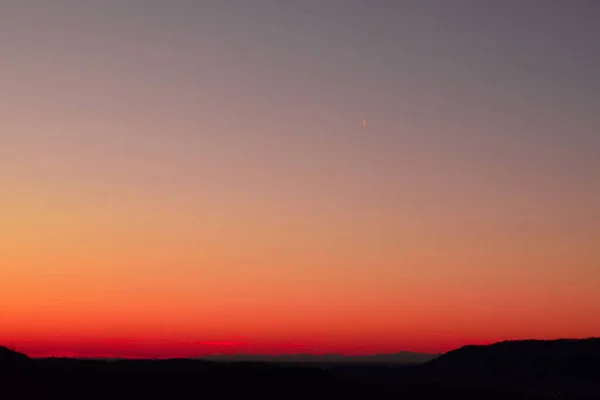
x=506, y=370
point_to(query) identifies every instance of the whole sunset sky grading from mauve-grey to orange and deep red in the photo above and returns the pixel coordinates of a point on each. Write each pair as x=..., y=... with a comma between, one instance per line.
x=181, y=178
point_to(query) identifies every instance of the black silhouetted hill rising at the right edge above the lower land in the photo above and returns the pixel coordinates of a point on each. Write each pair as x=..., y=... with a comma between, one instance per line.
x=564, y=365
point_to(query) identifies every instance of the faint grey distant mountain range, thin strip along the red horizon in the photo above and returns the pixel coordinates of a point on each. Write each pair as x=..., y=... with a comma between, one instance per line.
x=404, y=357
